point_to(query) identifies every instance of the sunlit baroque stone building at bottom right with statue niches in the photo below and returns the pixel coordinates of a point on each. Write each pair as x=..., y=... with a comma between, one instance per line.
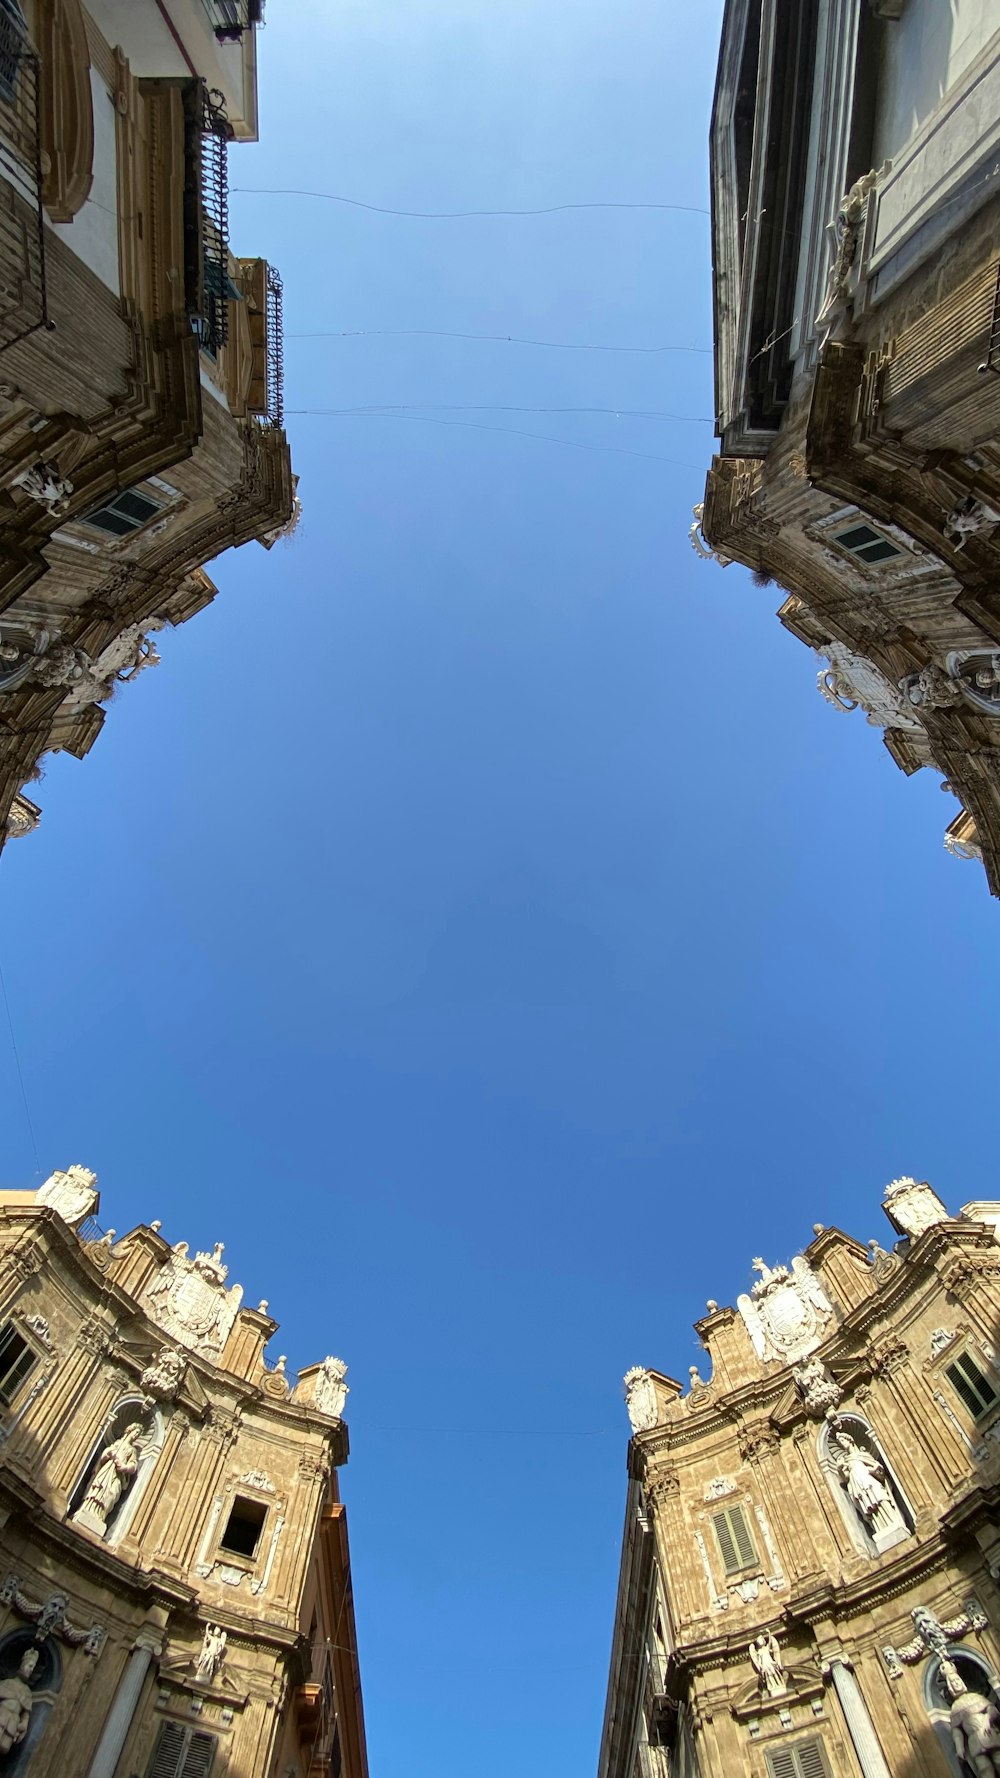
x=812, y=1539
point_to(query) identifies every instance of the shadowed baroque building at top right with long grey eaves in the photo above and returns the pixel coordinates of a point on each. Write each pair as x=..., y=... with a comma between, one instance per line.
x=857, y=296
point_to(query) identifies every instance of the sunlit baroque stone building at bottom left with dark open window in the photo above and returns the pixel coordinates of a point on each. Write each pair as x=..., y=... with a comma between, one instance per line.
x=175, y=1576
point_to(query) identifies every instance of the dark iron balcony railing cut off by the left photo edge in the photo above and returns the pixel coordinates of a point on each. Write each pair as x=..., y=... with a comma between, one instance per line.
x=24, y=301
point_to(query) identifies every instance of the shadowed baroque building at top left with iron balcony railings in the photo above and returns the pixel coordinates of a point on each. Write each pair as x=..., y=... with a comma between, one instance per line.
x=141, y=403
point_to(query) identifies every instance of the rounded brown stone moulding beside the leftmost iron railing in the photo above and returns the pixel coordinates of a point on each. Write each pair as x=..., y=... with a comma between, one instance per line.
x=67, y=108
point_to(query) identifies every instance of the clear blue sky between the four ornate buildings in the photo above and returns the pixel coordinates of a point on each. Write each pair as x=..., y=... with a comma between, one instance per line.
x=480, y=922
